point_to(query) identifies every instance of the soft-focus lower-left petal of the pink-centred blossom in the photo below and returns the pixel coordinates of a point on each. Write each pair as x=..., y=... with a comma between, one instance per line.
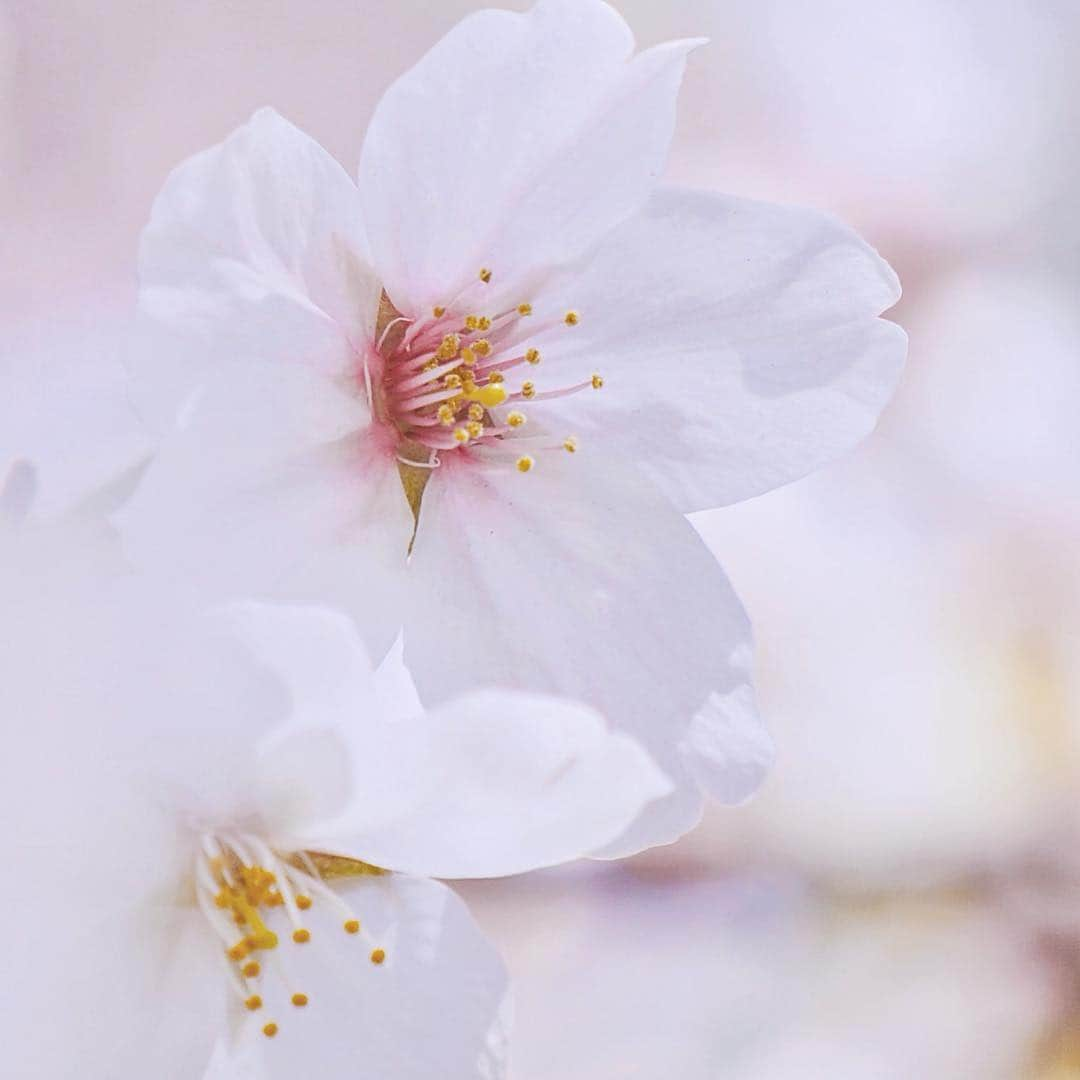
x=275, y=489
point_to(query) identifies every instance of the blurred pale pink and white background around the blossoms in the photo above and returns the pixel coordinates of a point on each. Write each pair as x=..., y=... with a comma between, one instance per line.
x=903, y=899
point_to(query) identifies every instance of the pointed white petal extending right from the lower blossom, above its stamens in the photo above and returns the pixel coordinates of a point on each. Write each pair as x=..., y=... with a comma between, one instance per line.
x=494, y=784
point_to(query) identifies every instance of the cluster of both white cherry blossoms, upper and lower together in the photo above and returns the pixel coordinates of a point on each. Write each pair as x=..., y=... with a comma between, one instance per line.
x=371, y=565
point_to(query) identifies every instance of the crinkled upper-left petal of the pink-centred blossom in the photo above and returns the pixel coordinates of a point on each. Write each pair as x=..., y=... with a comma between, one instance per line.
x=255, y=251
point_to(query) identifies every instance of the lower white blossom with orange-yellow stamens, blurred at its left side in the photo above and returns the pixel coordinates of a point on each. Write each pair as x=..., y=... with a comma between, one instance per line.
x=224, y=840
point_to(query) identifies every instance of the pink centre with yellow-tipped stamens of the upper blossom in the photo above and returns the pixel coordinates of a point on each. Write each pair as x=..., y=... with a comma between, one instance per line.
x=457, y=380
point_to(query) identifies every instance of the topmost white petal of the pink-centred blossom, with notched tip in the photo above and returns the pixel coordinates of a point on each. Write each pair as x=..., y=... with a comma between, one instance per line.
x=515, y=144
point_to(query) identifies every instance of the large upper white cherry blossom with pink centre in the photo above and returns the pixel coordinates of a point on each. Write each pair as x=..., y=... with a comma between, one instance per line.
x=482, y=387
